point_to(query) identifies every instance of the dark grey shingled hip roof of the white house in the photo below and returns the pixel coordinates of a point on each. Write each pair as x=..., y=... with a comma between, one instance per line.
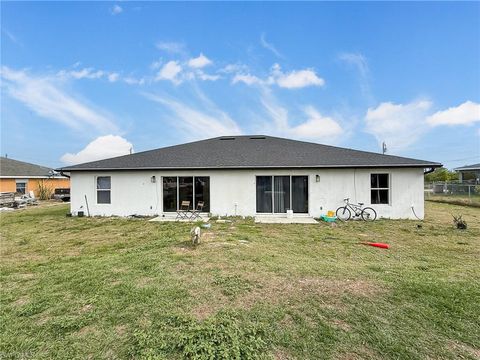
x=254, y=151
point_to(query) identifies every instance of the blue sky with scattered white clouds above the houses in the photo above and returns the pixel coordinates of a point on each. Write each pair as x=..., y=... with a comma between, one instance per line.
x=82, y=81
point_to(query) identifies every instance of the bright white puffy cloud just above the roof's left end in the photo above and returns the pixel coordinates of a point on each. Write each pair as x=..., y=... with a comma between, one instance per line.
x=103, y=147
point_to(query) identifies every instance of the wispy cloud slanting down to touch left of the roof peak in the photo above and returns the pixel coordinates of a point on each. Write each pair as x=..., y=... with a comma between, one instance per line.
x=198, y=123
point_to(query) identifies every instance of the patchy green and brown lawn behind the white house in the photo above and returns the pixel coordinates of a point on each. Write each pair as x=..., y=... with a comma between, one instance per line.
x=119, y=288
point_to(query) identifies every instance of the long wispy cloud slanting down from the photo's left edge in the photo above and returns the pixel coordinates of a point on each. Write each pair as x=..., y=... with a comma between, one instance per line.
x=44, y=96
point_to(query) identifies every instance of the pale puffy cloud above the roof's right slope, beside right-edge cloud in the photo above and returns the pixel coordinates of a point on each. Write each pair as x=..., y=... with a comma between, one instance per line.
x=399, y=125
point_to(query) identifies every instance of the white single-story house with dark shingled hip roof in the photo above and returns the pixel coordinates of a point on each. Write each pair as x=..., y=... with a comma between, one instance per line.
x=249, y=175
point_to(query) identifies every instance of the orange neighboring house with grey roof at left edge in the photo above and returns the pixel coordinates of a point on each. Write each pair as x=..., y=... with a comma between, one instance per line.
x=21, y=177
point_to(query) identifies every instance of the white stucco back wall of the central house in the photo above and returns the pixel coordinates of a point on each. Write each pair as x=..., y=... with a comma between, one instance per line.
x=233, y=192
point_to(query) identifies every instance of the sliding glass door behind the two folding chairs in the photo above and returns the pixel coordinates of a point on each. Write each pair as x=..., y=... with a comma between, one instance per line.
x=186, y=188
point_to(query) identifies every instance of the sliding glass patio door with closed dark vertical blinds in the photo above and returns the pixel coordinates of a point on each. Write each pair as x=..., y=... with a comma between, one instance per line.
x=277, y=194
